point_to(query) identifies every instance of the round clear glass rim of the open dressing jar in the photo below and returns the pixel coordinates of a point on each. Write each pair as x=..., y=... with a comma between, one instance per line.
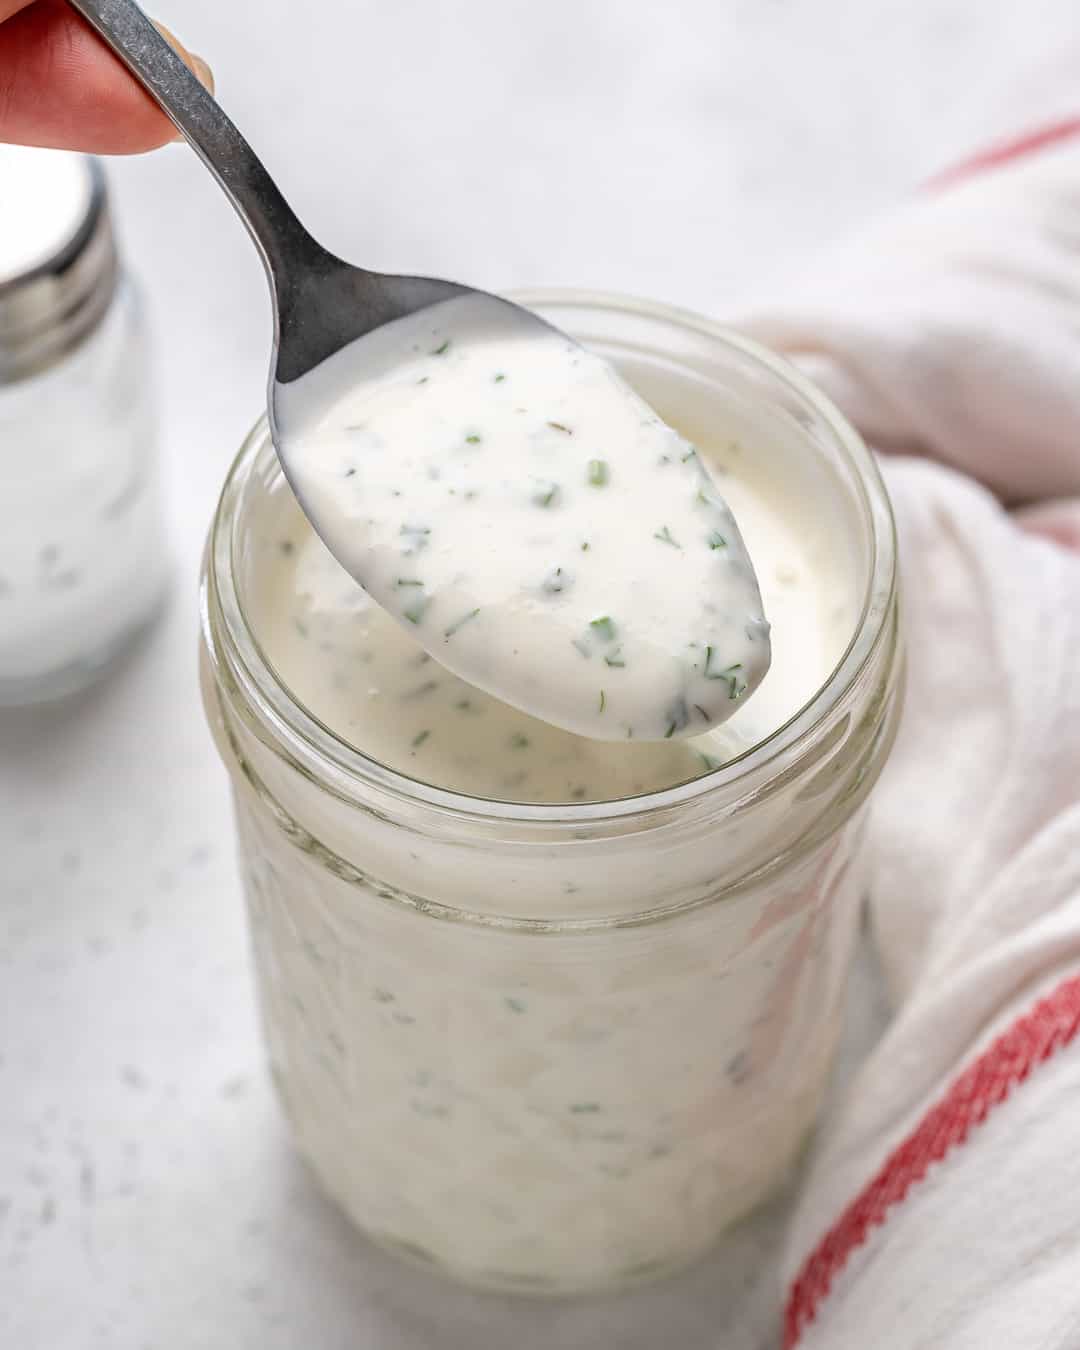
x=318, y=753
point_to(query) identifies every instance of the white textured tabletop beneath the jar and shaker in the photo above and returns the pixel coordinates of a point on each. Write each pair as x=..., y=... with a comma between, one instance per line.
x=691, y=152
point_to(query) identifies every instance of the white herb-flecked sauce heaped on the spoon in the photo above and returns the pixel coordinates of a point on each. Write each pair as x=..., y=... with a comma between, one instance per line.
x=531, y=522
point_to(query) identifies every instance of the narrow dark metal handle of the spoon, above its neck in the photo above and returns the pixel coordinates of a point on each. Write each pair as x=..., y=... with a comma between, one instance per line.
x=281, y=240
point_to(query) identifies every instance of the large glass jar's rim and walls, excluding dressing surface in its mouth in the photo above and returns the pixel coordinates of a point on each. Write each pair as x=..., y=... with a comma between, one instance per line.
x=554, y=1048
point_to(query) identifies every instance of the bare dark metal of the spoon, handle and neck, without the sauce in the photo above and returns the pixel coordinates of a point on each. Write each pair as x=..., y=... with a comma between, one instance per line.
x=322, y=304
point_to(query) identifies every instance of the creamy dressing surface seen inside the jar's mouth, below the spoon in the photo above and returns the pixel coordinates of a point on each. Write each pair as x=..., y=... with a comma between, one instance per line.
x=371, y=681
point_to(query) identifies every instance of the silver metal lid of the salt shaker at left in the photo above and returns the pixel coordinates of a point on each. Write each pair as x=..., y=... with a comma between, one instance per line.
x=59, y=265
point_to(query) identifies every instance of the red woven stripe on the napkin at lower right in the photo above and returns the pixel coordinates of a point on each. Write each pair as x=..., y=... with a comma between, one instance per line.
x=1052, y=1024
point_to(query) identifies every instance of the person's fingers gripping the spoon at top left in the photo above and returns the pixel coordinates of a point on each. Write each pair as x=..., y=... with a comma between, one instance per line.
x=60, y=86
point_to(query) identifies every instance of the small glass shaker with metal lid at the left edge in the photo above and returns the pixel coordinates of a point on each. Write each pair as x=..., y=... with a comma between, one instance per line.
x=83, y=565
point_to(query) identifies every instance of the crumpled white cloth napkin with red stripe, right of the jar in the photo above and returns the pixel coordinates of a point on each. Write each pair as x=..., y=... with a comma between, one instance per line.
x=943, y=1210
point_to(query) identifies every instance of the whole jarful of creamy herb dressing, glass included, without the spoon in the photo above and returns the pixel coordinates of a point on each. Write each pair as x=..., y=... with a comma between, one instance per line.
x=564, y=1044
